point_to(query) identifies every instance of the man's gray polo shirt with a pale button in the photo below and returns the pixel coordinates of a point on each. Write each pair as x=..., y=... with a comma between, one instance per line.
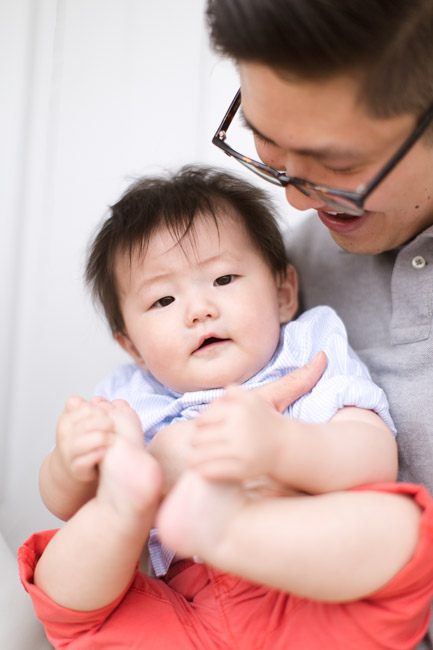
x=386, y=303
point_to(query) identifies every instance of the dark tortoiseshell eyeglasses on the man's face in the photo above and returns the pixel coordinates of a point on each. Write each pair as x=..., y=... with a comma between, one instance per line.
x=350, y=202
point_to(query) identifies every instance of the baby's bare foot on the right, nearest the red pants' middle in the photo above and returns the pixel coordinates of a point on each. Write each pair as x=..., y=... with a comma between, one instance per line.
x=194, y=518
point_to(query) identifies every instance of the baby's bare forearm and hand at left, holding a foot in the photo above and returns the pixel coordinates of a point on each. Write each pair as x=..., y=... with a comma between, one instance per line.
x=69, y=474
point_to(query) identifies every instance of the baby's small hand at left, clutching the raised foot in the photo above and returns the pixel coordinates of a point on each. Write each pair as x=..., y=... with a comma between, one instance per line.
x=84, y=432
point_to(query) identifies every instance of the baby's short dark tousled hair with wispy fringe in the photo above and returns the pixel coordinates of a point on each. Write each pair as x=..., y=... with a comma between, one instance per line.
x=173, y=202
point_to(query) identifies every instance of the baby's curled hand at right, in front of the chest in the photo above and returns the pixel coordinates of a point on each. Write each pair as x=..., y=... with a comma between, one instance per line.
x=237, y=438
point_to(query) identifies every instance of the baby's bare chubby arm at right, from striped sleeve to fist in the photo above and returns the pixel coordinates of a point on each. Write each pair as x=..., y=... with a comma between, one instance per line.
x=241, y=437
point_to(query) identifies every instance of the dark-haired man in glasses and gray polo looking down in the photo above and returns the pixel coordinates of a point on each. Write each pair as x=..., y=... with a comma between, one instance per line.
x=339, y=97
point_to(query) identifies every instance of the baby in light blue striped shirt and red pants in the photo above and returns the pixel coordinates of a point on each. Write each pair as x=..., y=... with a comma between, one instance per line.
x=192, y=274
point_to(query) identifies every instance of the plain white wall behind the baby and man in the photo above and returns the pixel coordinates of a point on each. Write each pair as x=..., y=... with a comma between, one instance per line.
x=94, y=93
